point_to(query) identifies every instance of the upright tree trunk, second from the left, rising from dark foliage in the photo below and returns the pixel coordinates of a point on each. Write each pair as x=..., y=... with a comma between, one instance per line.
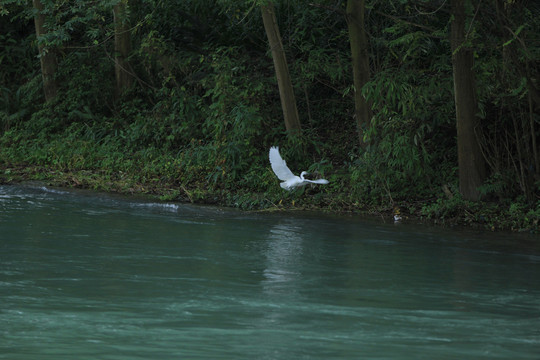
x=122, y=48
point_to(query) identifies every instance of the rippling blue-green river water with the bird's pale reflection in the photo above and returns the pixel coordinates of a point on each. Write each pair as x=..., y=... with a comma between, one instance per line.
x=93, y=276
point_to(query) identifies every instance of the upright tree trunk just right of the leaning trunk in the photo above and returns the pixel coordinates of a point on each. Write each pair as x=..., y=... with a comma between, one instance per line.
x=360, y=63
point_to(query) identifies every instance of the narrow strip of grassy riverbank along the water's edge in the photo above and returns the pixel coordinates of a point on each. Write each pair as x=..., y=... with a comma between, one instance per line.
x=449, y=211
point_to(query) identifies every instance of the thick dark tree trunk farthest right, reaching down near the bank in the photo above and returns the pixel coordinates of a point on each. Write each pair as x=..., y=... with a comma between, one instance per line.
x=471, y=163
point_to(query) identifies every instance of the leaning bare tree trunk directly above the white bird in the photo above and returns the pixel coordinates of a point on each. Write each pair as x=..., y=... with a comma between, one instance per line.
x=286, y=93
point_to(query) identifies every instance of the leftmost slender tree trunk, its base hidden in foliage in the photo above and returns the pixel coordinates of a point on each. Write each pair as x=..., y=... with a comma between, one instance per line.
x=47, y=55
